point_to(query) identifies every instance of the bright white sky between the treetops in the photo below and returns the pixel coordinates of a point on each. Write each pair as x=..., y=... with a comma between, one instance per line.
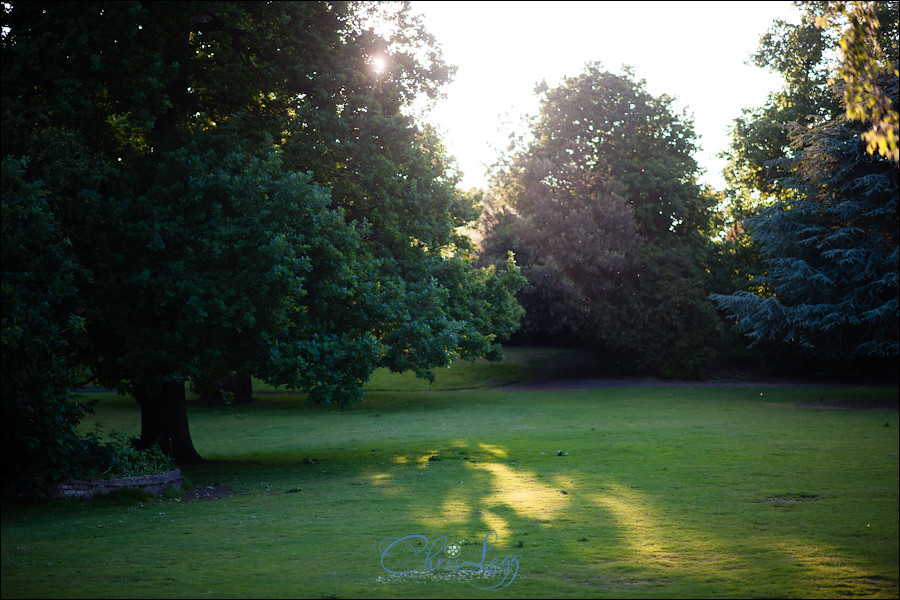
x=693, y=51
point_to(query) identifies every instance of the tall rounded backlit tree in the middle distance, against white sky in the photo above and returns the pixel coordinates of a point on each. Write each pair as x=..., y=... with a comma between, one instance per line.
x=602, y=209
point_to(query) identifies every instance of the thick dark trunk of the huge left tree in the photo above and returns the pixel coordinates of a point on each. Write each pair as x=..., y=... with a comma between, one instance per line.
x=164, y=422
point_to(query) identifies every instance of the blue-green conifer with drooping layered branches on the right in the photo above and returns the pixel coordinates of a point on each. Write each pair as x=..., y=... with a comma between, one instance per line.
x=830, y=248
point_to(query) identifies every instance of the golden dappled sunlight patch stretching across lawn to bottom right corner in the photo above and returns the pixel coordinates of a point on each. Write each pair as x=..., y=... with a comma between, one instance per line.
x=605, y=536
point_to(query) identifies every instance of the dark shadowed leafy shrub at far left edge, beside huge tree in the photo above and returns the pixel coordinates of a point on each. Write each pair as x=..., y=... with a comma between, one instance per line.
x=38, y=418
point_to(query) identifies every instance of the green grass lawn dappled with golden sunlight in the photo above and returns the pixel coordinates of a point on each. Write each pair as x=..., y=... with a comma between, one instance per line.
x=683, y=491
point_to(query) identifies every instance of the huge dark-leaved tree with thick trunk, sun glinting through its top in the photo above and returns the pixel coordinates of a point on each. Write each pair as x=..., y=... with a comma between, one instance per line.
x=246, y=195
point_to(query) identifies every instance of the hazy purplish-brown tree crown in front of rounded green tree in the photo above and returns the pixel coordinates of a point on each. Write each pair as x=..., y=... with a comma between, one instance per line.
x=575, y=236
